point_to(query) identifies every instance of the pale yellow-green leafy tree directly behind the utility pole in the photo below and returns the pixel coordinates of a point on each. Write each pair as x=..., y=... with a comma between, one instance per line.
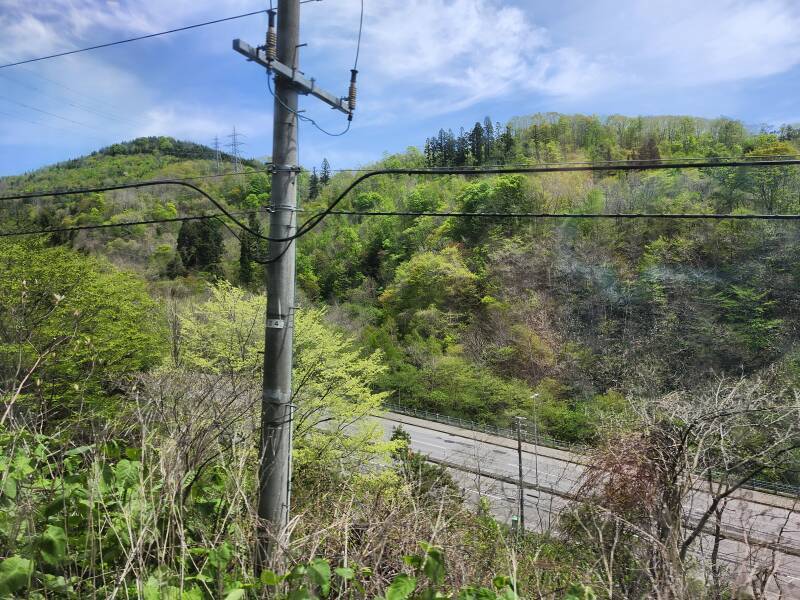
x=332, y=380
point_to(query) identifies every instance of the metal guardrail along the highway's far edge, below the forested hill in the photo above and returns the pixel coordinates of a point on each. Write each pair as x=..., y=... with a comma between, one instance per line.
x=772, y=487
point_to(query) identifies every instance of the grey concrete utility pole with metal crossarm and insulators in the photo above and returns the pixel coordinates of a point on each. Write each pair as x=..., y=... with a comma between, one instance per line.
x=280, y=58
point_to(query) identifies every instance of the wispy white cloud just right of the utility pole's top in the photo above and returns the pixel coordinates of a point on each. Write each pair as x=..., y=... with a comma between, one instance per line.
x=435, y=56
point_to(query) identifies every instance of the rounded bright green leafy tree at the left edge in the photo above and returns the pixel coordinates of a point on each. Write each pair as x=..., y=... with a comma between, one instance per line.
x=70, y=328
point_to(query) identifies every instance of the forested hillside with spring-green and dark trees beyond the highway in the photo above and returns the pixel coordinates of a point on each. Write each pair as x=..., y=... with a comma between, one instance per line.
x=473, y=316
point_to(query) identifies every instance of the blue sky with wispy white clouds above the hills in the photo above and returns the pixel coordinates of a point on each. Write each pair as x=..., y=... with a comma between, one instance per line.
x=424, y=64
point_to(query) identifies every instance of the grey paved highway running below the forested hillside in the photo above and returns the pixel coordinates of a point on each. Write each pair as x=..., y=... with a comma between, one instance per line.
x=757, y=526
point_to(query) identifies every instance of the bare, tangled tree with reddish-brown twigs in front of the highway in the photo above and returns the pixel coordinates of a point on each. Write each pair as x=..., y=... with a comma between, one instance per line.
x=672, y=475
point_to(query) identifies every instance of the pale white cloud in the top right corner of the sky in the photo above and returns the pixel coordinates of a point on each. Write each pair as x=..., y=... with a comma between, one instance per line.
x=680, y=43
